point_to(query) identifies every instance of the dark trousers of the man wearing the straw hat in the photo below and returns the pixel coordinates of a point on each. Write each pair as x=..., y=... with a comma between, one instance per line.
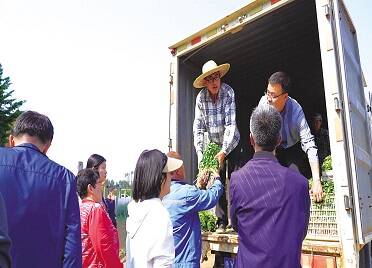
x=232, y=162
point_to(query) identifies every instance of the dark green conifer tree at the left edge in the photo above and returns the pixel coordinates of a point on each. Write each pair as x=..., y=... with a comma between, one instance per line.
x=9, y=108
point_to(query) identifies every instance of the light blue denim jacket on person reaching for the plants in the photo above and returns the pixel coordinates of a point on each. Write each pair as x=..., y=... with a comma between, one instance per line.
x=183, y=204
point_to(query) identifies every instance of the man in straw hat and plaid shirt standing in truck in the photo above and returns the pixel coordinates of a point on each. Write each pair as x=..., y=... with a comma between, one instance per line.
x=215, y=114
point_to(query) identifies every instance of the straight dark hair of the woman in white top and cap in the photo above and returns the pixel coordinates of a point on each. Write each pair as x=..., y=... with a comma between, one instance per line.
x=148, y=175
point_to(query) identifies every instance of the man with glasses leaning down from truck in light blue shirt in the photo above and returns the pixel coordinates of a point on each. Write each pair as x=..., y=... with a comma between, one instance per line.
x=296, y=134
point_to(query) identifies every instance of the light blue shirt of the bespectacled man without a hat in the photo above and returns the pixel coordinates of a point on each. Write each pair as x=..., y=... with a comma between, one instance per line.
x=295, y=128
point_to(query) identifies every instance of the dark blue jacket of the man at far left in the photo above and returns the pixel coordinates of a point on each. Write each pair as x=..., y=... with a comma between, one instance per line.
x=42, y=209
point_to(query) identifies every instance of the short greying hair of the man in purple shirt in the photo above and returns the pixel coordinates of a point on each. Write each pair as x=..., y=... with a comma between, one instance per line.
x=265, y=127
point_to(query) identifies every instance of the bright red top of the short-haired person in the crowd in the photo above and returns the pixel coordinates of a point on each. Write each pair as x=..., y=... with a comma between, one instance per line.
x=99, y=237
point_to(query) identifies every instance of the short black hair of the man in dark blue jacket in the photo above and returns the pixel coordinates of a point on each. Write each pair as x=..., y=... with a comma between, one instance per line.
x=34, y=124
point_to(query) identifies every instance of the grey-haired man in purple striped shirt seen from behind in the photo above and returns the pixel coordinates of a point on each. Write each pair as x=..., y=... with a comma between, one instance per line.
x=270, y=203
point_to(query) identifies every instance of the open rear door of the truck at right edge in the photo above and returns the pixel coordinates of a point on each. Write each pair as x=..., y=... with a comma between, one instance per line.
x=356, y=123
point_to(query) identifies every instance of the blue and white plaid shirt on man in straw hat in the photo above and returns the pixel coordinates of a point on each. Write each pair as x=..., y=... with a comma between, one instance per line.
x=218, y=119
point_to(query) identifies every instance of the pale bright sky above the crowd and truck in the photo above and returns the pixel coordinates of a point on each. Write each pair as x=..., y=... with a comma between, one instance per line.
x=99, y=69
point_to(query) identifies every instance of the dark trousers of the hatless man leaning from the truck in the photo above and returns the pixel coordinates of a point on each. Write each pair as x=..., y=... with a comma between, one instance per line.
x=294, y=157
